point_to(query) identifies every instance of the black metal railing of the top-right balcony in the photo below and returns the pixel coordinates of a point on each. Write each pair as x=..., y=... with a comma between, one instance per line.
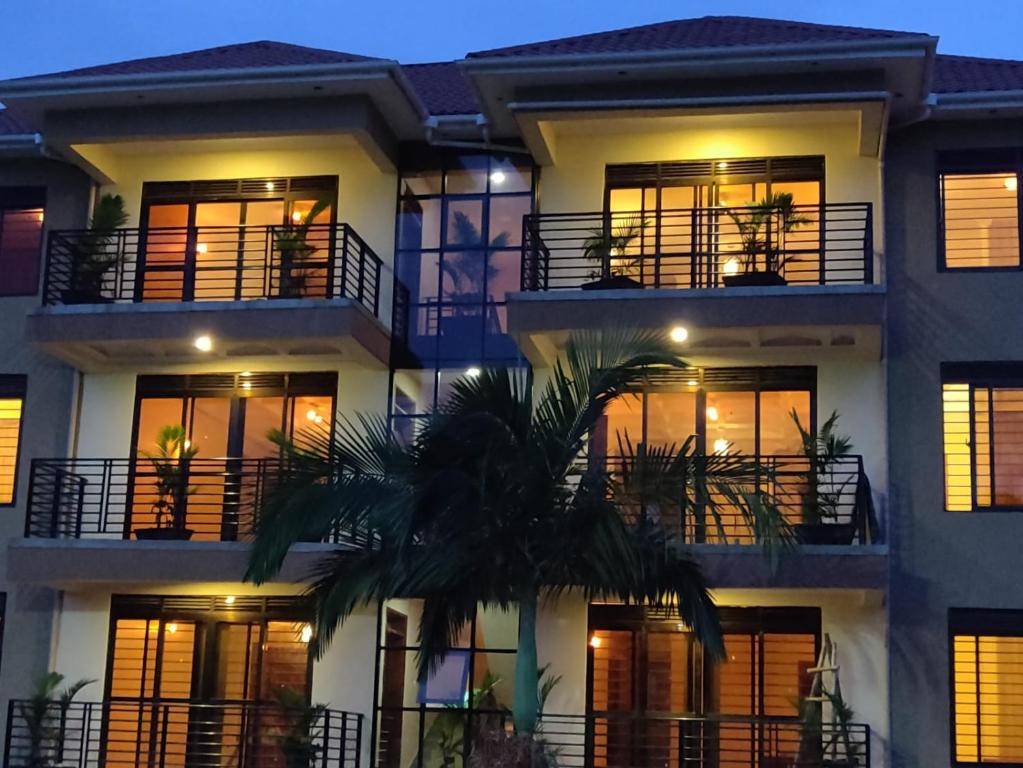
x=704, y=248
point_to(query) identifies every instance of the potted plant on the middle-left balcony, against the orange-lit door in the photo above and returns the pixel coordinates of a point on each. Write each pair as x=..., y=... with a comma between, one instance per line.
x=171, y=464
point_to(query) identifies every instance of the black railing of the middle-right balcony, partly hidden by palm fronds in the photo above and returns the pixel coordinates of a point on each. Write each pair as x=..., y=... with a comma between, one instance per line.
x=823, y=504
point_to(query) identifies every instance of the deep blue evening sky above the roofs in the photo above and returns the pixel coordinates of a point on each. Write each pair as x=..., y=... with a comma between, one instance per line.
x=41, y=36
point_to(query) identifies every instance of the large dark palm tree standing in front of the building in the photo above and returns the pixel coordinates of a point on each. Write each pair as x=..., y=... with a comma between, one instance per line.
x=494, y=505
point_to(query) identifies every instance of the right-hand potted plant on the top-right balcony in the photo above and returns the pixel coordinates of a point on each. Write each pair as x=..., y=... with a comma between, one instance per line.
x=763, y=229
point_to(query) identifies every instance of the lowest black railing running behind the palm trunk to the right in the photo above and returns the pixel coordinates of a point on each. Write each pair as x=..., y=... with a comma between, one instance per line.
x=628, y=741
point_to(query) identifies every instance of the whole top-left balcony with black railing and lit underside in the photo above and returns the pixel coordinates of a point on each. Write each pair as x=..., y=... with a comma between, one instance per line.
x=142, y=296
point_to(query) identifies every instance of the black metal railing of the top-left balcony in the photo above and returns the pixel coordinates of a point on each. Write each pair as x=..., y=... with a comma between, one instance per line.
x=185, y=264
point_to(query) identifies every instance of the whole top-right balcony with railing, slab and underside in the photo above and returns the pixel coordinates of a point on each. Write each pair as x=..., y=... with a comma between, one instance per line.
x=737, y=278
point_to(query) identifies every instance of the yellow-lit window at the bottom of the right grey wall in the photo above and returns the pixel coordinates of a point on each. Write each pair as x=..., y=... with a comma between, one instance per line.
x=987, y=651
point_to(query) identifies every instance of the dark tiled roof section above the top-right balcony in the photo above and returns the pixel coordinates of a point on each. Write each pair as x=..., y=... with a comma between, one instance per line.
x=707, y=32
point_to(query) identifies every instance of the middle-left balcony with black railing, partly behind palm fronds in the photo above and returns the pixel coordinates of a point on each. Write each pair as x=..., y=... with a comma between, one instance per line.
x=123, y=519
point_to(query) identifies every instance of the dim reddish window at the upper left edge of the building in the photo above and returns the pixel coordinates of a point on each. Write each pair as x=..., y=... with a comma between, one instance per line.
x=21, y=240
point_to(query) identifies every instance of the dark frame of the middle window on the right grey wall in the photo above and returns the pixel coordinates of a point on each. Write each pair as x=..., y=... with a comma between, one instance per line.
x=974, y=376
